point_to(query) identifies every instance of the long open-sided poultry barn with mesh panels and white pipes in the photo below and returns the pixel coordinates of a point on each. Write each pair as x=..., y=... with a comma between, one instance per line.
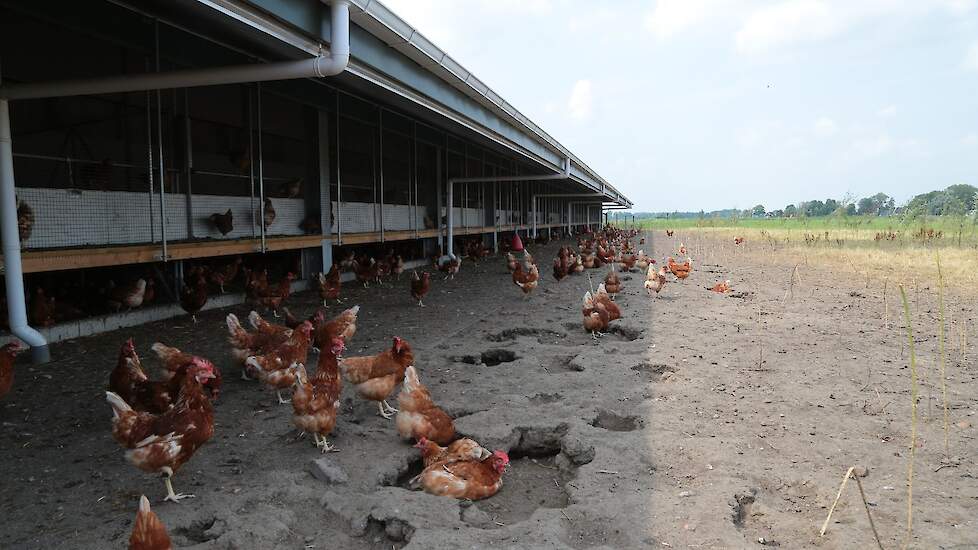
x=140, y=138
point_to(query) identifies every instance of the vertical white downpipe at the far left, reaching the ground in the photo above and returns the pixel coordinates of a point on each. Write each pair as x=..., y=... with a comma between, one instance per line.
x=13, y=269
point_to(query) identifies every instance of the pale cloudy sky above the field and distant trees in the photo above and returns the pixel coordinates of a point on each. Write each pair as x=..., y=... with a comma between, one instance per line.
x=709, y=104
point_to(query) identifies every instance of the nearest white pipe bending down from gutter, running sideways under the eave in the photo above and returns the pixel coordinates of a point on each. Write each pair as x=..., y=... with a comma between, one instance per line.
x=321, y=66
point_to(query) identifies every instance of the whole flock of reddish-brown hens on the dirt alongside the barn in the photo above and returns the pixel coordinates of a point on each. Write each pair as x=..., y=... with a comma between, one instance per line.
x=161, y=423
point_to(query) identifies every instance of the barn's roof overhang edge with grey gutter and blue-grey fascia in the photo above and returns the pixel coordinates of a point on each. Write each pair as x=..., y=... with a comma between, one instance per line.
x=387, y=52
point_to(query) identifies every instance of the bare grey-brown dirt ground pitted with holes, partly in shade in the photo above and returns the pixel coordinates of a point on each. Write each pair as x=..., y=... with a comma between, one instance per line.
x=702, y=421
